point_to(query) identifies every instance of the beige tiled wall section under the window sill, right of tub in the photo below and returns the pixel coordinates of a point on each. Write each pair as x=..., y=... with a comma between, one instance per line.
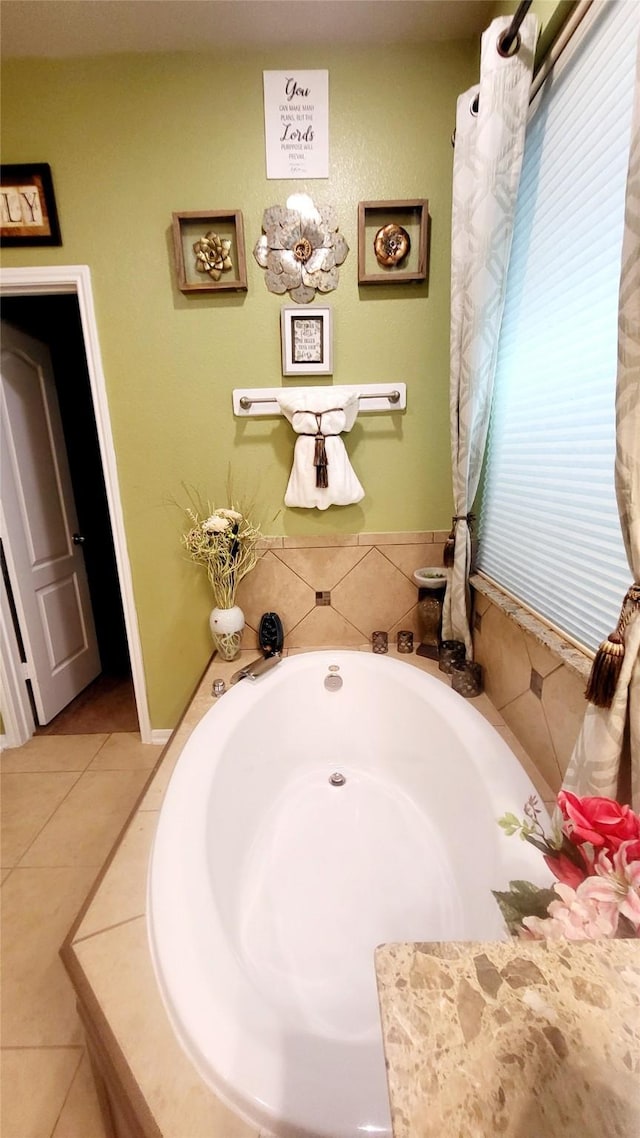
x=535, y=679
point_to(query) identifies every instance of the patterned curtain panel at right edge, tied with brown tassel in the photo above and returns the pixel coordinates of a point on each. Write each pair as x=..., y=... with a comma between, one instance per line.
x=606, y=758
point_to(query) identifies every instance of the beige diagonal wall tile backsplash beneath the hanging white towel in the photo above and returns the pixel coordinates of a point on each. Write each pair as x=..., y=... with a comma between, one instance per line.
x=368, y=576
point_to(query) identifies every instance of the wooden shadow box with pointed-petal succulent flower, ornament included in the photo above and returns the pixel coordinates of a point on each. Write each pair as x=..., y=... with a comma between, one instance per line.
x=210, y=251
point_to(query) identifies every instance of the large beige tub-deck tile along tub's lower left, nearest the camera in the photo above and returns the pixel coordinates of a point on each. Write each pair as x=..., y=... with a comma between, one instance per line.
x=119, y=968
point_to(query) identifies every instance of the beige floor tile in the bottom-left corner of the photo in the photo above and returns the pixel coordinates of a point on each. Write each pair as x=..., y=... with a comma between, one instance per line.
x=36, y=1084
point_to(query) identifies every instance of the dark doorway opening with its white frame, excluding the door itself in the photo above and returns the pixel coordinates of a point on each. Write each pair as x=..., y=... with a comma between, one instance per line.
x=62, y=318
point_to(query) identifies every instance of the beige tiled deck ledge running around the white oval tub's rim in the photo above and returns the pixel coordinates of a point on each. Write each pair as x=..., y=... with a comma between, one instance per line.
x=138, y=1062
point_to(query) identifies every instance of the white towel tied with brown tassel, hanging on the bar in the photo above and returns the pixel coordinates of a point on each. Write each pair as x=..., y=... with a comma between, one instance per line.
x=322, y=475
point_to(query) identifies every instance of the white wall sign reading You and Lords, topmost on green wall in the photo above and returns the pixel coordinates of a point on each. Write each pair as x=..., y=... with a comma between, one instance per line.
x=297, y=123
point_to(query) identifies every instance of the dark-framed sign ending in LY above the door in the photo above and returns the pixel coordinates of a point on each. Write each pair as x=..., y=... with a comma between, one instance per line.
x=28, y=207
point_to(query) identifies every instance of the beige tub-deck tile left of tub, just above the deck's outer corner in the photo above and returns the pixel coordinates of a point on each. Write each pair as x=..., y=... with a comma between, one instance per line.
x=122, y=894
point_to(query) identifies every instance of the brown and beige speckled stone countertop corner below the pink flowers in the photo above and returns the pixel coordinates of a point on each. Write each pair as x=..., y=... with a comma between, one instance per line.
x=531, y=1040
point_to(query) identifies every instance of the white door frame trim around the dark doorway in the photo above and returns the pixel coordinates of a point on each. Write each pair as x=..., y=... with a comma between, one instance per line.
x=17, y=712
